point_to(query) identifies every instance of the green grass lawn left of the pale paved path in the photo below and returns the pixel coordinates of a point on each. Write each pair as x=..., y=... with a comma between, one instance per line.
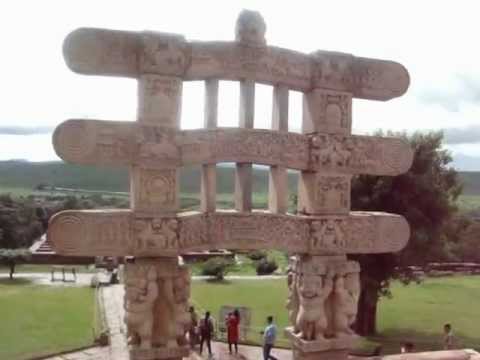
x=37, y=320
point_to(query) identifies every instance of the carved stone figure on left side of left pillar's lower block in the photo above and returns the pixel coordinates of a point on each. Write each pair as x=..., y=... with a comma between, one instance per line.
x=139, y=302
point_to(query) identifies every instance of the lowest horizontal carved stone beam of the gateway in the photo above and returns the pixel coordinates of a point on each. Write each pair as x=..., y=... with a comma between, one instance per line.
x=124, y=233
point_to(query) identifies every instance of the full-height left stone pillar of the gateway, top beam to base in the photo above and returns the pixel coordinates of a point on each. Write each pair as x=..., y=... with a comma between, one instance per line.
x=157, y=289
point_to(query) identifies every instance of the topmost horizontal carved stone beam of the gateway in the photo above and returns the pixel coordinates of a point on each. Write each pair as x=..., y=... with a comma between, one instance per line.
x=95, y=51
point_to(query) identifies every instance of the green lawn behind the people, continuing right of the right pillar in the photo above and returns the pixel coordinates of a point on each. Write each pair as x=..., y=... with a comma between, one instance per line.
x=415, y=313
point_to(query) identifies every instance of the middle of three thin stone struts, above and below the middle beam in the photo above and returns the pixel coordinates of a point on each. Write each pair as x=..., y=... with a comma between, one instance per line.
x=243, y=173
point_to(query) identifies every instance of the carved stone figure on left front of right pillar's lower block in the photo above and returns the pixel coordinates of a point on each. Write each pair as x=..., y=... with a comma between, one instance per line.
x=313, y=291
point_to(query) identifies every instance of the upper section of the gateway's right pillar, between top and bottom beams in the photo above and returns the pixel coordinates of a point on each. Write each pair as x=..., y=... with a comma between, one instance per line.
x=326, y=112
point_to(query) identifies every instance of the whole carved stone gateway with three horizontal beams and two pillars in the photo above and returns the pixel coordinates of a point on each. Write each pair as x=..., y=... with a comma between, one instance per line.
x=323, y=286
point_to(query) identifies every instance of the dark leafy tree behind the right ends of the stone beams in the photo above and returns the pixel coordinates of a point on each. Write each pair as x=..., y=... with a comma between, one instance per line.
x=425, y=196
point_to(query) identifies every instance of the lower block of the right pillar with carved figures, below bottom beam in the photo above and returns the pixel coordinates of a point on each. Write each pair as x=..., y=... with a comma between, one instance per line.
x=322, y=304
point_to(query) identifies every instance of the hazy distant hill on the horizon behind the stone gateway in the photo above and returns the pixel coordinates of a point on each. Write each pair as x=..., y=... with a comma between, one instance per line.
x=29, y=175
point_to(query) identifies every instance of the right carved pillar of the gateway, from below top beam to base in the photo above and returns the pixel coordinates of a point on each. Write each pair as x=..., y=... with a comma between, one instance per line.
x=324, y=290
